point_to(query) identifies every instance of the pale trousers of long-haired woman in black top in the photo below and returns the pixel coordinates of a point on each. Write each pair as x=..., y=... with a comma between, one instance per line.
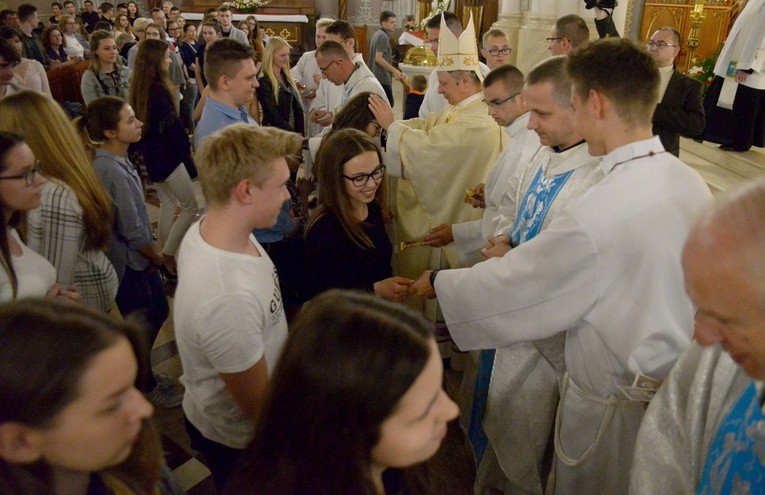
x=175, y=190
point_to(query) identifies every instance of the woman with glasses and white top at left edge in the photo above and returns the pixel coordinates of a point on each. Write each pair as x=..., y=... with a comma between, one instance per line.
x=23, y=273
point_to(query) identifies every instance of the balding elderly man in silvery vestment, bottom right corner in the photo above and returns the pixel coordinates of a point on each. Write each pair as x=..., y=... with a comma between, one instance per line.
x=704, y=432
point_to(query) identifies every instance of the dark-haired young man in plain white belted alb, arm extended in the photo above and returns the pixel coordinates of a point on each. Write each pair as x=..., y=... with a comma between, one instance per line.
x=606, y=270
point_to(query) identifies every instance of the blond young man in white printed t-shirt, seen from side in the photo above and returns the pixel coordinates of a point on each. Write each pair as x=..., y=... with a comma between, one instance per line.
x=230, y=325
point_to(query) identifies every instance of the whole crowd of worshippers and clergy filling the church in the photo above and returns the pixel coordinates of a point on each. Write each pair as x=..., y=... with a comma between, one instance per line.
x=337, y=258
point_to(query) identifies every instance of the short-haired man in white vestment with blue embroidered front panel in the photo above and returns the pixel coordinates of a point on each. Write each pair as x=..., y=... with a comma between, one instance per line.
x=515, y=376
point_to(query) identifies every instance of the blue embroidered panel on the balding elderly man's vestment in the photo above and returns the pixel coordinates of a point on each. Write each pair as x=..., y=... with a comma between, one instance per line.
x=736, y=459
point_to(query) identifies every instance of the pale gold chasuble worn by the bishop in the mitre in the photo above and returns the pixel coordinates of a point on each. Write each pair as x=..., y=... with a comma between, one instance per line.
x=435, y=160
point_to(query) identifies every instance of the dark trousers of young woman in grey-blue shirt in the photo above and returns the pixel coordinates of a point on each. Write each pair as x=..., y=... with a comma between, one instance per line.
x=143, y=296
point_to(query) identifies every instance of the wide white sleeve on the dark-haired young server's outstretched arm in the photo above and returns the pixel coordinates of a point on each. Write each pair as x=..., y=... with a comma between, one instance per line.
x=536, y=290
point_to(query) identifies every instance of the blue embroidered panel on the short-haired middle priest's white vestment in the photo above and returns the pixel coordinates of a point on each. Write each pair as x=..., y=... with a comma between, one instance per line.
x=532, y=211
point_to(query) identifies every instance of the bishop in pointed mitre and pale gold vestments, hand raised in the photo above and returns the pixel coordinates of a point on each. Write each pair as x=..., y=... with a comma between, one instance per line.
x=437, y=158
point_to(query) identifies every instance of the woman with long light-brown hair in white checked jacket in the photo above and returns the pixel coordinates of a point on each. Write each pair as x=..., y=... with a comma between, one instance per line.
x=72, y=226
